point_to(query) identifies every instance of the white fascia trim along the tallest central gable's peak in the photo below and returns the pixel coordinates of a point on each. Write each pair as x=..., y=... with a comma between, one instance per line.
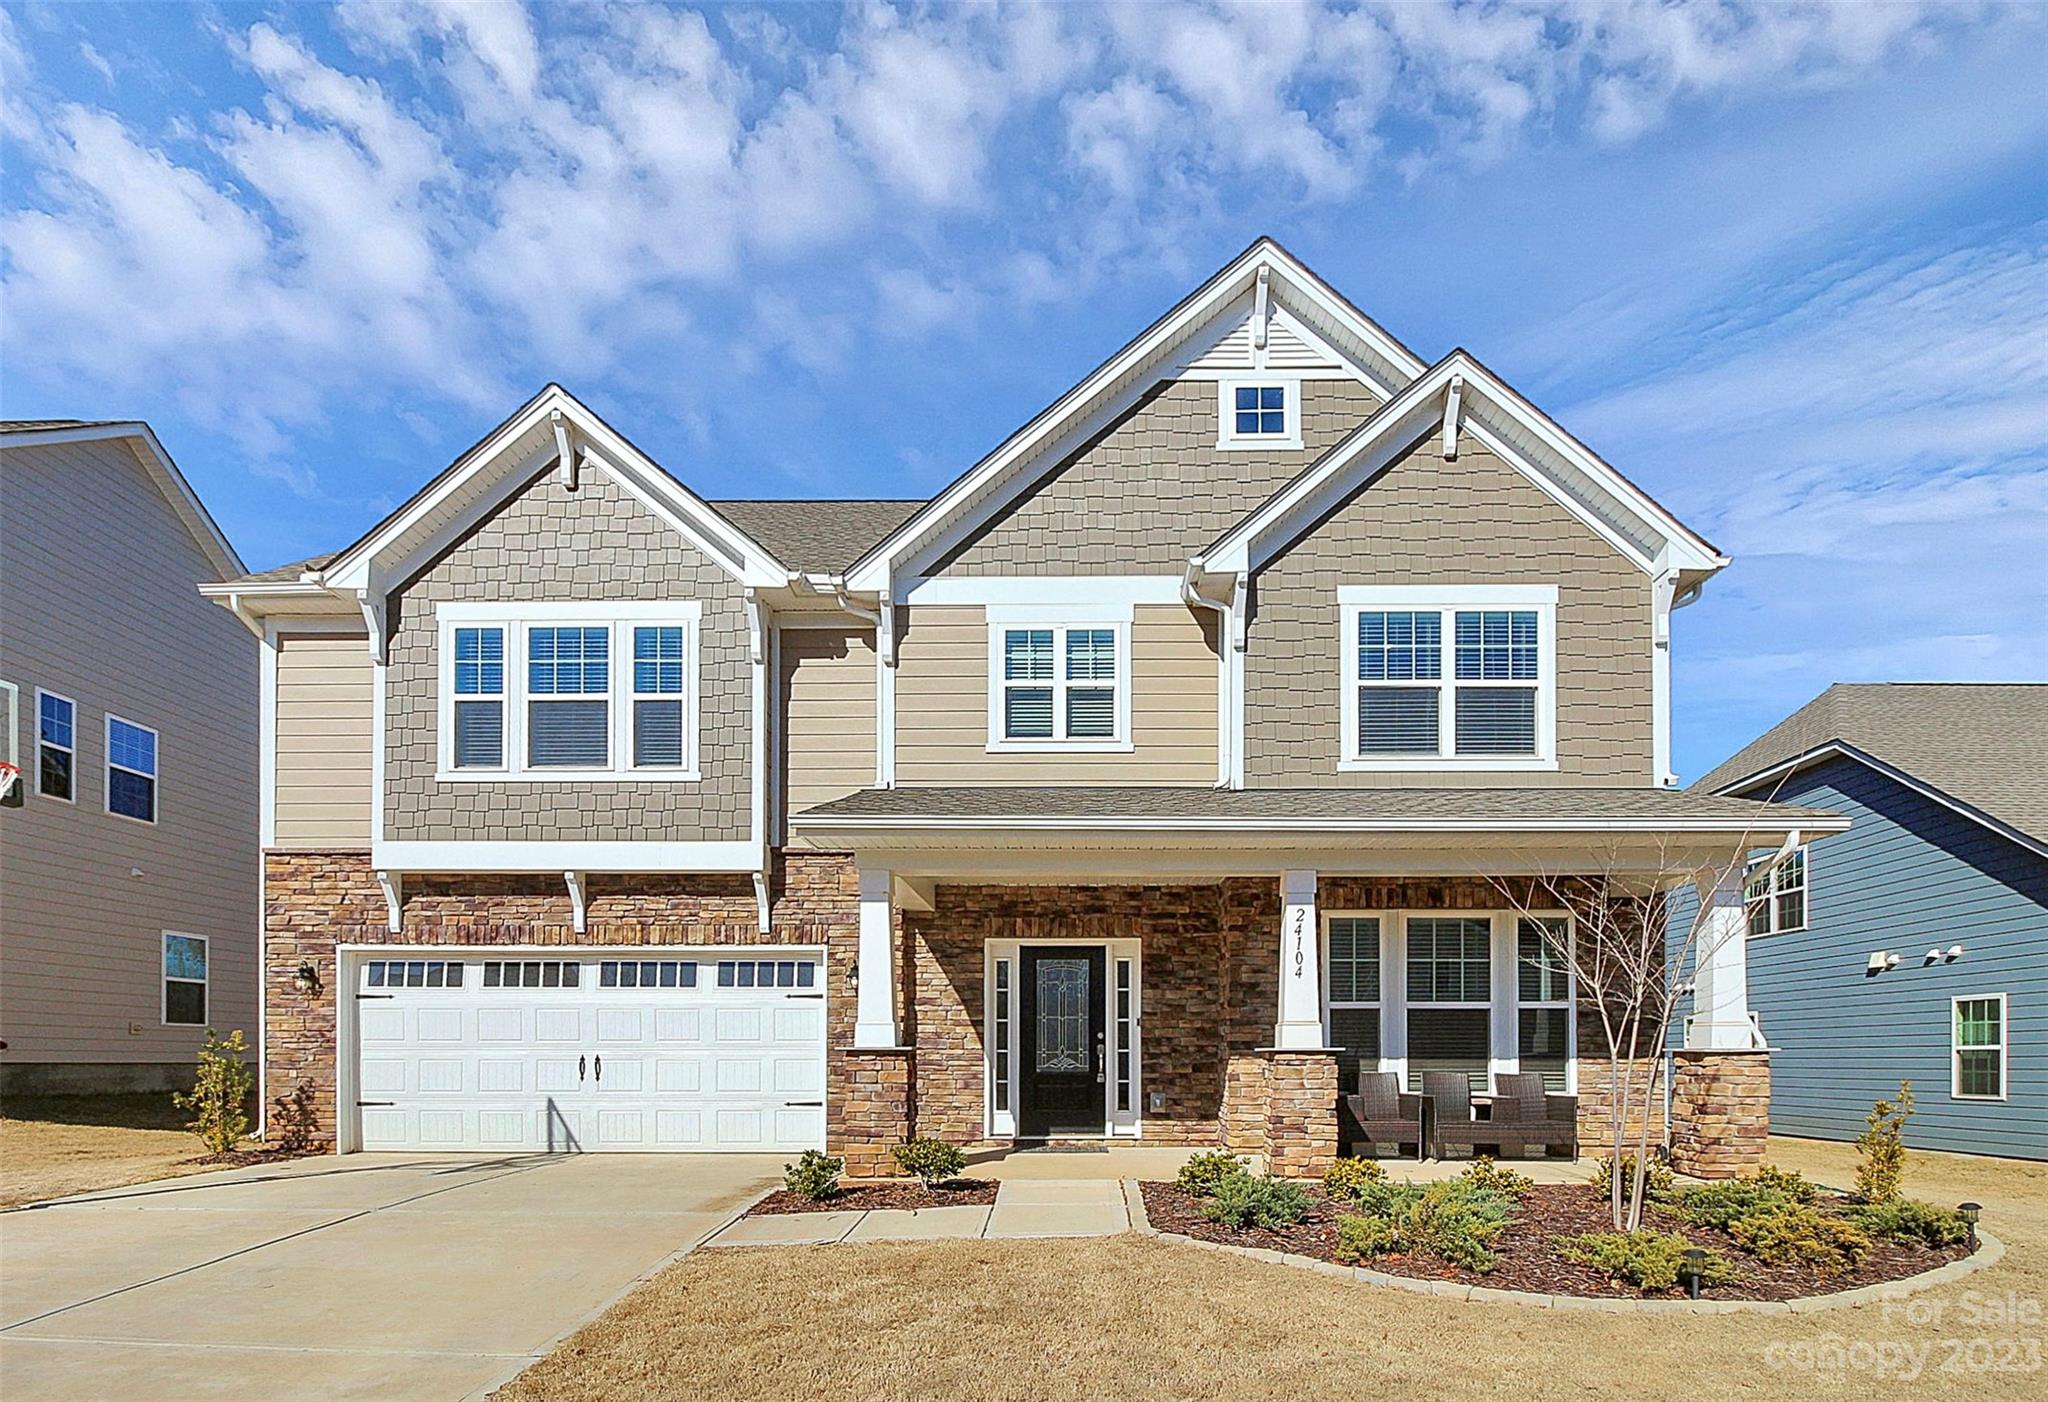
x=882, y=566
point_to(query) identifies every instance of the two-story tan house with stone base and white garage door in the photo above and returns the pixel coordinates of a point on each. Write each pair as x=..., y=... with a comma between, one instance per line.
x=1144, y=785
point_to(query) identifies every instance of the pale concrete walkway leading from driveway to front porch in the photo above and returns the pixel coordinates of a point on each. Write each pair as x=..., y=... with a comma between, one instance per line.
x=1023, y=1209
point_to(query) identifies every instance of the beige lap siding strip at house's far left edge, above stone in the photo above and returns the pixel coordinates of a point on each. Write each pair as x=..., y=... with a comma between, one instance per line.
x=325, y=742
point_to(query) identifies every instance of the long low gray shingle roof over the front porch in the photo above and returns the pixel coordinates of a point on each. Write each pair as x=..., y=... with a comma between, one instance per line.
x=1306, y=805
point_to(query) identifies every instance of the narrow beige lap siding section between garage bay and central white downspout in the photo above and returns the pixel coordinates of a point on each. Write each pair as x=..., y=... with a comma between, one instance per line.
x=828, y=713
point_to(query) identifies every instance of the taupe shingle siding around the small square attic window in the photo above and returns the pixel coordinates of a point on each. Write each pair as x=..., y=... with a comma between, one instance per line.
x=1152, y=490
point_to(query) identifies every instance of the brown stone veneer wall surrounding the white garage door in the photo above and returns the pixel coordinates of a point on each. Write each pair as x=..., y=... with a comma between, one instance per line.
x=318, y=900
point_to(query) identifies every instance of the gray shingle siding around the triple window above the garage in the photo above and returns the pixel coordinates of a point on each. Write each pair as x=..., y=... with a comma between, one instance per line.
x=595, y=545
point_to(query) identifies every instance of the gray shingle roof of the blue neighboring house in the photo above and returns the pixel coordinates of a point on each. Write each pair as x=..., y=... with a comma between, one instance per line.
x=1983, y=744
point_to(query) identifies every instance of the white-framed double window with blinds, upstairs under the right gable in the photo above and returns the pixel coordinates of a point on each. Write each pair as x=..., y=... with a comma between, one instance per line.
x=1449, y=678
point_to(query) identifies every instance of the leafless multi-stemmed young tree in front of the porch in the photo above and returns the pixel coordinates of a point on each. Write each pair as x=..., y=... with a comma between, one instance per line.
x=1631, y=959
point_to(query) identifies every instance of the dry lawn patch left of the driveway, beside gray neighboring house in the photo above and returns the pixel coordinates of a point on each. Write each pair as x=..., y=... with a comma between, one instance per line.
x=58, y=1145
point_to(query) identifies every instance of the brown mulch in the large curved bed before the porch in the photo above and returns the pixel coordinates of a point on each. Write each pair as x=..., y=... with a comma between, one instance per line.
x=1531, y=1258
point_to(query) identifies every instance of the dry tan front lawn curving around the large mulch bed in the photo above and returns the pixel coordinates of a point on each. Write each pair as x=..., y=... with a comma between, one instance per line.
x=1142, y=1319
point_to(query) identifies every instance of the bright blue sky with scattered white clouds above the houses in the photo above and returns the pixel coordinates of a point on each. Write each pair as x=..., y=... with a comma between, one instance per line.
x=1785, y=265
